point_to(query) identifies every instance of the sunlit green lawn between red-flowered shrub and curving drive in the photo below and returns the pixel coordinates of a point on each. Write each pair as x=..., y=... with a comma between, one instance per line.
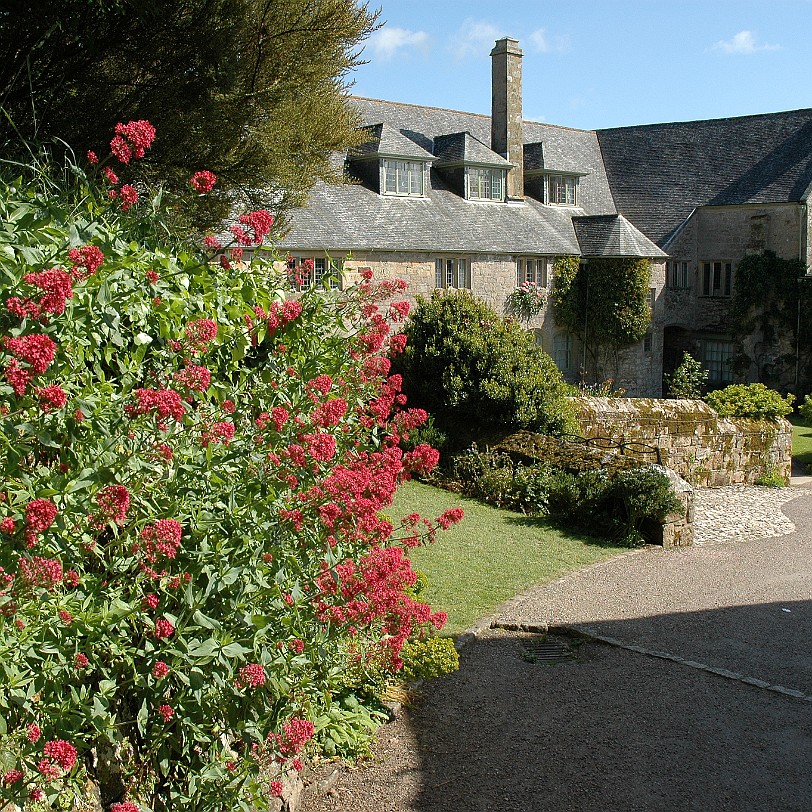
x=490, y=556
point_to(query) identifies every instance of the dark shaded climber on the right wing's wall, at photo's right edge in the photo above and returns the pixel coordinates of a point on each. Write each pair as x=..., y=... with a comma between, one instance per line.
x=771, y=300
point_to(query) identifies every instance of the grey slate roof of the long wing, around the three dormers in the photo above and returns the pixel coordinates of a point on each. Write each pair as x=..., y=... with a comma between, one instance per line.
x=338, y=219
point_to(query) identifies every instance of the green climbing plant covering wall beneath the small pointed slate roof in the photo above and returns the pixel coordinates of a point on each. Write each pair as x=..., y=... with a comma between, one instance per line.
x=605, y=303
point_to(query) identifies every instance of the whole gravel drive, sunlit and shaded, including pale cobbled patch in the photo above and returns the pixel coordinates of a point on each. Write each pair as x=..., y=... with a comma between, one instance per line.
x=702, y=700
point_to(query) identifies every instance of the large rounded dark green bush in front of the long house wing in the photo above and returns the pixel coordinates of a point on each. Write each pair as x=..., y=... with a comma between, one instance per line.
x=469, y=367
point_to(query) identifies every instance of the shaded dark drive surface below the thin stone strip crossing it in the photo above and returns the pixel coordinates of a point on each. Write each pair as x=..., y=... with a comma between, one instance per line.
x=610, y=730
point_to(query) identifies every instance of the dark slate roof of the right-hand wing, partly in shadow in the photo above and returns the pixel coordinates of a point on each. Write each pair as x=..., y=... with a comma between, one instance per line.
x=659, y=173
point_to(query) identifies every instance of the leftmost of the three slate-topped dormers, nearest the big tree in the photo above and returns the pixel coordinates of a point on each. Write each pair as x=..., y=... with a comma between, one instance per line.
x=390, y=163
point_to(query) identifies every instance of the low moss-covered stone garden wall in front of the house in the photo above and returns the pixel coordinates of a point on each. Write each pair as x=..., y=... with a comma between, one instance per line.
x=694, y=441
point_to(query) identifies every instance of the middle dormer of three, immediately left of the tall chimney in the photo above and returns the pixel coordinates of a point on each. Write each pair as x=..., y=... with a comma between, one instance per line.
x=470, y=167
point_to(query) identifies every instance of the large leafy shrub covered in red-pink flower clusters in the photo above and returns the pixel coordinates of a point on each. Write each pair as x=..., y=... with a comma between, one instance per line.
x=194, y=467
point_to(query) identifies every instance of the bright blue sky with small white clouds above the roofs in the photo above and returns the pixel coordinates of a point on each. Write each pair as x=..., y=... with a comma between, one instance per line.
x=597, y=63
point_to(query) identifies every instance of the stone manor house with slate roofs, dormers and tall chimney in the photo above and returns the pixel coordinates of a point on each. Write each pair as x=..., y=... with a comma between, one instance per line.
x=446, y=199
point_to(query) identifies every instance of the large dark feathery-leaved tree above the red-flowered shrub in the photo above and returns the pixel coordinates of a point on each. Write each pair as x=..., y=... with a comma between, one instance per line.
x=252, y=90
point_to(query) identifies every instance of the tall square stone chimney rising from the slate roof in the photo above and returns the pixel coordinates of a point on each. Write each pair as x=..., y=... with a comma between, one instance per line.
x=507, y=136
